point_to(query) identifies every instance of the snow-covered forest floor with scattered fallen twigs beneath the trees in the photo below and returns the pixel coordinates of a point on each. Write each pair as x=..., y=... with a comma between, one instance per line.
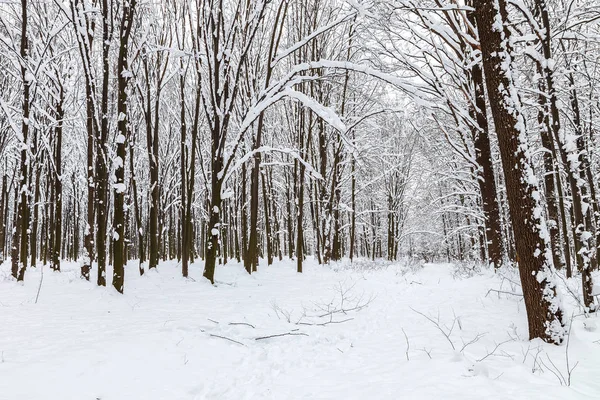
x=370, y=330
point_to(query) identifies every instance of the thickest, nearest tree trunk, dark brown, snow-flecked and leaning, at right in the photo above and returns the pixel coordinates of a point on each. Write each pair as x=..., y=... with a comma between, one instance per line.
x=535, y=263
